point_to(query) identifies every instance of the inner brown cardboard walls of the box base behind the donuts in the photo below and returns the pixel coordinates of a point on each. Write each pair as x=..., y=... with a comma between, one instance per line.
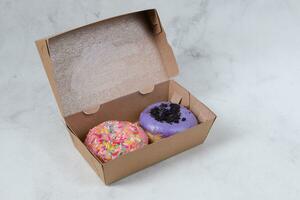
x=129, y=107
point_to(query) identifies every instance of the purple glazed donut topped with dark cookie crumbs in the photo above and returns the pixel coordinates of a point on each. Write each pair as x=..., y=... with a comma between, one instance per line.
x=164, y=119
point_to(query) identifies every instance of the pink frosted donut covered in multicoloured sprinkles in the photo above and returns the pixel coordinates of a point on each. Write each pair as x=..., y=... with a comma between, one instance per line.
x=111, y=139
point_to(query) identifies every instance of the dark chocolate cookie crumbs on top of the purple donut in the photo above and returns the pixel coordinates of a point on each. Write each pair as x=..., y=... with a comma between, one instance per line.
x=169, y=113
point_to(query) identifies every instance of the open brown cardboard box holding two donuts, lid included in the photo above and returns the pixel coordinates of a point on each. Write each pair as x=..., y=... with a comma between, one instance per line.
x=113, y=69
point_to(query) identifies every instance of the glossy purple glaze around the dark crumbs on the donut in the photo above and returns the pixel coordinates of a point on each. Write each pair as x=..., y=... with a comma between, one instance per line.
x=165, y=129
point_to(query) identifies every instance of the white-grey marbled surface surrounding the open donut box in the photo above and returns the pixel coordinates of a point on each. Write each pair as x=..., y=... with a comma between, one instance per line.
x=242, y=58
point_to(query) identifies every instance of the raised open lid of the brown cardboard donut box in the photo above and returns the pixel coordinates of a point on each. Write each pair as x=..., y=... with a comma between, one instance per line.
x=99, y=62
